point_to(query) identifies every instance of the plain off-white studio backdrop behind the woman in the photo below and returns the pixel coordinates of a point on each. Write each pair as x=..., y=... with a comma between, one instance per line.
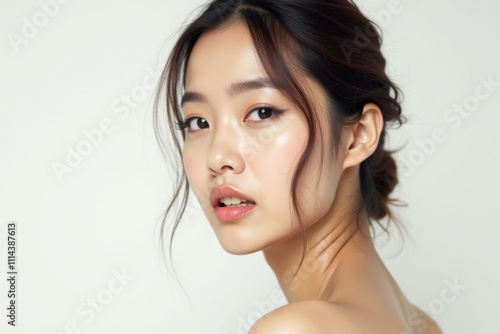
x=87, y=256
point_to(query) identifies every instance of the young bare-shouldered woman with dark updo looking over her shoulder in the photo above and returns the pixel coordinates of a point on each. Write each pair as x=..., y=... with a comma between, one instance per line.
x=282, y=108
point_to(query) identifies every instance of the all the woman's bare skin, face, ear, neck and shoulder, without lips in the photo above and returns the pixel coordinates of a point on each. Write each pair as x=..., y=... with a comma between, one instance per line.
x=343, y=286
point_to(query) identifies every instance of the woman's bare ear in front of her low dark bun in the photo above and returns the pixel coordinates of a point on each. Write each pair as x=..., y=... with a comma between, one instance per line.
x=362, y=139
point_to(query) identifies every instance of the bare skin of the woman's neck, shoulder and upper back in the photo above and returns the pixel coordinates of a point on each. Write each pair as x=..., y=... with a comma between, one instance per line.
x=342, y=281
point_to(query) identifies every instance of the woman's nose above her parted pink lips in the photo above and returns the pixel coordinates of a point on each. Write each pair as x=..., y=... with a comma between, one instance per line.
x=225, y=151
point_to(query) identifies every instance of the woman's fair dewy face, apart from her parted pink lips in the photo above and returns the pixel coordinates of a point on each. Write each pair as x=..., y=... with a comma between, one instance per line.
x=236, y=139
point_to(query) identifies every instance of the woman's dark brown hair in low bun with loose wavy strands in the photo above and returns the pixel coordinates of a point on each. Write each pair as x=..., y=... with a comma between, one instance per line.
x=330, y=41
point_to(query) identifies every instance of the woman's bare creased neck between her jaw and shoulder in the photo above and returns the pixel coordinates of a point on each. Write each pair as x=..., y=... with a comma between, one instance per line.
x=329, y=242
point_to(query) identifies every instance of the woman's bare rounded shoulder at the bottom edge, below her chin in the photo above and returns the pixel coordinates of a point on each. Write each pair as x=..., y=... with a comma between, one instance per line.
x=312, y=317
